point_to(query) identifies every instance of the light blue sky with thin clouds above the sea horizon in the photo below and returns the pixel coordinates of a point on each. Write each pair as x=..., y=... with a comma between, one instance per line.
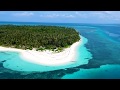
x=62, y=16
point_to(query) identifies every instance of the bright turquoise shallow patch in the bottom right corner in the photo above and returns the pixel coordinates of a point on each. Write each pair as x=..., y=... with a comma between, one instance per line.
x=104, y=72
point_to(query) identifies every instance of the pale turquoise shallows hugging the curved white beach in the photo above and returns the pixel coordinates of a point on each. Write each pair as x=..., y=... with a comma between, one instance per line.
x=15, y=62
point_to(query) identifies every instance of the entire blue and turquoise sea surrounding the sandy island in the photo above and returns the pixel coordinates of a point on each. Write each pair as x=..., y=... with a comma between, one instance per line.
x=98, y=57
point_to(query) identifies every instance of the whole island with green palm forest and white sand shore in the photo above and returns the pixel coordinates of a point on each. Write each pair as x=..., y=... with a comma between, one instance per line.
x=45, y=45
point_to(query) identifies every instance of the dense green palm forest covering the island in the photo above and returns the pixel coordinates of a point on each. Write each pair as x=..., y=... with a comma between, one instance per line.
x=39, y=37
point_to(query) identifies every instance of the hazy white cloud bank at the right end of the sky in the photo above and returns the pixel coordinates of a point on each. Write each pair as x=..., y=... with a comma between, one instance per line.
x=98, y=15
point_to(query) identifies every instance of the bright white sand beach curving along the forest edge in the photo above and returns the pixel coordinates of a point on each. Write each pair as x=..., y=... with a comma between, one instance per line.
x=47, y=57
